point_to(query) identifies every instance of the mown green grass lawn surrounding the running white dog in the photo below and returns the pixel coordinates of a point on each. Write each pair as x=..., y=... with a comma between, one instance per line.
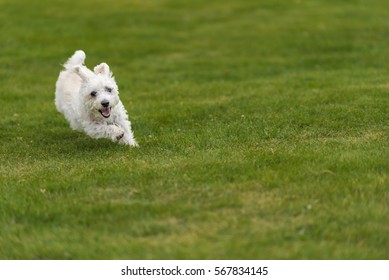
x=263, y=131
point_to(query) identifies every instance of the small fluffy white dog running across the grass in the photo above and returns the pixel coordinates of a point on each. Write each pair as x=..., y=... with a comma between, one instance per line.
x=90, y=101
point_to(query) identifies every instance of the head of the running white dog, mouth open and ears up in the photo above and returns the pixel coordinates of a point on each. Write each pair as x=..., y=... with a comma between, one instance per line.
x=98, y=89
